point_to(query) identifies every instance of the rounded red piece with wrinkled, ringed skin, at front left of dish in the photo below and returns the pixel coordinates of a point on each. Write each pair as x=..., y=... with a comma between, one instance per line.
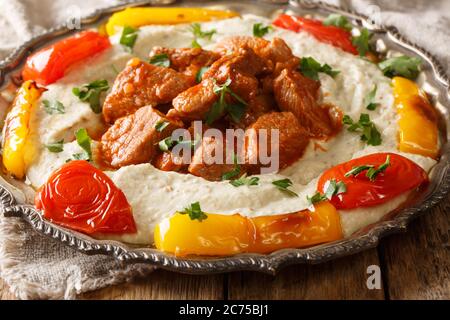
x=81, y=197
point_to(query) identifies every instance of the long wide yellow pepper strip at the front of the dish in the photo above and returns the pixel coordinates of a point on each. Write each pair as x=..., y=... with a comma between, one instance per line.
x=222, y=235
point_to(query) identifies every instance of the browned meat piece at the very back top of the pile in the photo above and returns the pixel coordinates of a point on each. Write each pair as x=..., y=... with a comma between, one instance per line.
x=276, y=54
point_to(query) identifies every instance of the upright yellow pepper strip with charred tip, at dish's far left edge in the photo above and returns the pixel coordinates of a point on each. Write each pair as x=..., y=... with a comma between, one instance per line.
x=15, y=152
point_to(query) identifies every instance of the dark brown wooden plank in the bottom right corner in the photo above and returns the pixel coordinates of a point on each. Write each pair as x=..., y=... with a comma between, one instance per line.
x=417, y=264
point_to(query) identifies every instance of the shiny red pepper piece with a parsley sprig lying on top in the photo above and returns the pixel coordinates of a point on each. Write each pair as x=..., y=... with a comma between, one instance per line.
x=400, y=176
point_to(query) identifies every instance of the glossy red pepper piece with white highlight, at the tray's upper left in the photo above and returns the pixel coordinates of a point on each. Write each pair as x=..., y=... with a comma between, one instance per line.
x=50, y=63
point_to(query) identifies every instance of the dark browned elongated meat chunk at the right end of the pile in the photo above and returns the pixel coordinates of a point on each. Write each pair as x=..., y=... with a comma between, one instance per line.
x=299, y=95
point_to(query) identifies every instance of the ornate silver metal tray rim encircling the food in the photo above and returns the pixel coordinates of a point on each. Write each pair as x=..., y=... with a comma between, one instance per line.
x=433, y=79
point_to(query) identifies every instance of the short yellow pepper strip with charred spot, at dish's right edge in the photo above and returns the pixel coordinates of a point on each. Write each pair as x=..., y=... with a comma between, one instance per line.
x=418, y=131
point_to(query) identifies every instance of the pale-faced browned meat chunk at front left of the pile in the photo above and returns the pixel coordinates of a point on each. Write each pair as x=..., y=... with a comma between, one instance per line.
x=133, y=139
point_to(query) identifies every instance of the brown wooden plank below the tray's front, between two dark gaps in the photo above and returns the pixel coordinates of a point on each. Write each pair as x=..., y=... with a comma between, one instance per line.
x=343, y=278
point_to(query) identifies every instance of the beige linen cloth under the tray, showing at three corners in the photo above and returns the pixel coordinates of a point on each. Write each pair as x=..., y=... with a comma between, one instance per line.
x=36, y=267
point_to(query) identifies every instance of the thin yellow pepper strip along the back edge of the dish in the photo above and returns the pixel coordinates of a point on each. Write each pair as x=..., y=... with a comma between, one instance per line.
x=137, y=17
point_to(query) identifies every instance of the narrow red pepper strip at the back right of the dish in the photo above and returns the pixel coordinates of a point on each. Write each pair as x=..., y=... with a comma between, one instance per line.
x=335, y=36
